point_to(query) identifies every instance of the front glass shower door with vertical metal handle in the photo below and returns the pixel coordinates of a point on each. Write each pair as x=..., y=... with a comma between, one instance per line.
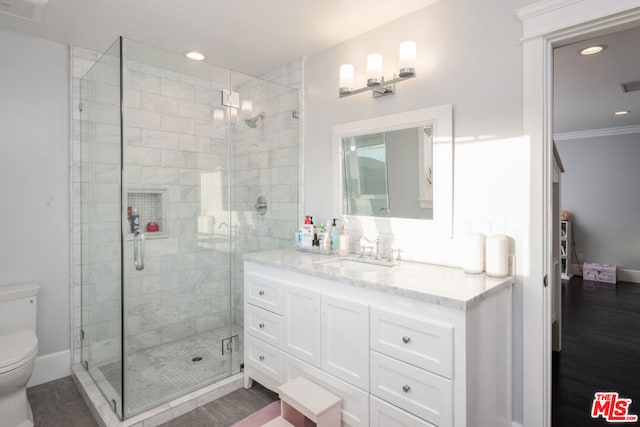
x=175, y=194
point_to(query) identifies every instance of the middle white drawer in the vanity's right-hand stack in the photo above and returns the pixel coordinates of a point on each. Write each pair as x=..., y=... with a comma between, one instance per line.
x=424, y=394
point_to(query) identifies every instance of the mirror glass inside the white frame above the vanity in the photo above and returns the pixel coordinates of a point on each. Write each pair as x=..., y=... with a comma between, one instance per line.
x=389, y=173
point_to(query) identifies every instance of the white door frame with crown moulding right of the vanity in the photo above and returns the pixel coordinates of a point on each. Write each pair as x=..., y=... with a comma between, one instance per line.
x=548, y=24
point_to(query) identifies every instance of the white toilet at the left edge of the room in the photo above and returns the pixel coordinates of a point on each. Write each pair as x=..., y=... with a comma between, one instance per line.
x=18, y=349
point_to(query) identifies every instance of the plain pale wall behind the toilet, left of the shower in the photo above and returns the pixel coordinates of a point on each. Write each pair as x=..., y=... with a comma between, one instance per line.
x=34, y=178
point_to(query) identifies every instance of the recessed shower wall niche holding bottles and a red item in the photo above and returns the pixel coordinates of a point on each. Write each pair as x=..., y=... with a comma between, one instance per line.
x=150, y=203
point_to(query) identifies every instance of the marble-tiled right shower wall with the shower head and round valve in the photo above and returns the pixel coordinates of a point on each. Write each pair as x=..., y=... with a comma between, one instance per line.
x=265, y=163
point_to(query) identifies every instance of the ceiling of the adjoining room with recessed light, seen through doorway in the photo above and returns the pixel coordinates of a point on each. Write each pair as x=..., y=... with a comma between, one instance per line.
x=587, y=88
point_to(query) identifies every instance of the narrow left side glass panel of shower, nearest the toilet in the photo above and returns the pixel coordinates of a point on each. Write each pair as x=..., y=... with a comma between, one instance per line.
x=100, y=207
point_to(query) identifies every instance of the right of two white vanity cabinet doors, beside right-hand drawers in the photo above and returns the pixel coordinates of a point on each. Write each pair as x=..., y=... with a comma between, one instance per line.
x=345, y=340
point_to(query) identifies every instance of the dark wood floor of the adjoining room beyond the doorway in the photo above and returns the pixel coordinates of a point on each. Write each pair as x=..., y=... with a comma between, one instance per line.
x=600, y=349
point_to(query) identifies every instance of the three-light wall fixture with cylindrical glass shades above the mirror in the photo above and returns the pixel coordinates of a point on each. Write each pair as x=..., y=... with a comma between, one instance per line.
x=375, y=80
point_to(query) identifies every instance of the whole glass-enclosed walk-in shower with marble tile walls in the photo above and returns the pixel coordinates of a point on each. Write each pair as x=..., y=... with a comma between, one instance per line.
x=168, y=177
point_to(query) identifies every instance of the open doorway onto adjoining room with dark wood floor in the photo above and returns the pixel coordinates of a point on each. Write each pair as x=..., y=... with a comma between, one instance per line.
x=596, y=131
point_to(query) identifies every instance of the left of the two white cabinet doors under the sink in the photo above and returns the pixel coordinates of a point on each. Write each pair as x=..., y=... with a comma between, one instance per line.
x=301, y=318
